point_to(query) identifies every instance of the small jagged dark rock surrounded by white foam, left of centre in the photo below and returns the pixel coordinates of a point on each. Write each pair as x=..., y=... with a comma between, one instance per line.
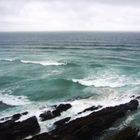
x=57, y=112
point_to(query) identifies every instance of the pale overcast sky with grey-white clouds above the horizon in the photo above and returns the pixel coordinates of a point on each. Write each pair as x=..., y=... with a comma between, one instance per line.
x=52, y=15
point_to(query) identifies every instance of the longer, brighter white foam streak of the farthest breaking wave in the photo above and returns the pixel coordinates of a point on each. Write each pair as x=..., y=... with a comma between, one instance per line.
x=44, y=63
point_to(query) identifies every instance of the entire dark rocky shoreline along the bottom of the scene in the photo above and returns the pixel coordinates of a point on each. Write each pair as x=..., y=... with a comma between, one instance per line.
x=84, y=128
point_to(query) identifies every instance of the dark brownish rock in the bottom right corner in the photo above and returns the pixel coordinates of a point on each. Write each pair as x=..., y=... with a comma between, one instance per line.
x=127, y=133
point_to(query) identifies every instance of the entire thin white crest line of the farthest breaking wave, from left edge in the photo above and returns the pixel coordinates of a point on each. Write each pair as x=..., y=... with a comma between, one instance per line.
x=44, y=63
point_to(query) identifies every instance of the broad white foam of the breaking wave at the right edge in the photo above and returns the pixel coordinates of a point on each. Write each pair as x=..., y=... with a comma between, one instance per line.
x=108, y=81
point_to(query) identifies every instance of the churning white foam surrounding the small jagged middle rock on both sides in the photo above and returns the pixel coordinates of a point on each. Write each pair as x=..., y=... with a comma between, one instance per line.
x=110, y=99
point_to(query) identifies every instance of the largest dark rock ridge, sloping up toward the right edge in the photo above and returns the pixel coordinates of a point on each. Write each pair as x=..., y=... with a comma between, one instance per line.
x=93, y=124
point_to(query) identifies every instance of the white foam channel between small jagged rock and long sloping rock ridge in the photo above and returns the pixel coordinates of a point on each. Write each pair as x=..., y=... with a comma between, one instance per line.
x=80, y=105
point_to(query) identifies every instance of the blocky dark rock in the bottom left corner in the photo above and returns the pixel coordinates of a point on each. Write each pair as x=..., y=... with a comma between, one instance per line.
x=11, y=130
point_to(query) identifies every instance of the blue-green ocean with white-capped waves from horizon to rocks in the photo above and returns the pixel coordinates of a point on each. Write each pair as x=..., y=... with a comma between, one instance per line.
x=40, y=69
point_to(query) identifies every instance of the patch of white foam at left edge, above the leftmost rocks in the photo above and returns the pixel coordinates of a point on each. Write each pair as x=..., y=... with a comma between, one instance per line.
x=13, y=100
